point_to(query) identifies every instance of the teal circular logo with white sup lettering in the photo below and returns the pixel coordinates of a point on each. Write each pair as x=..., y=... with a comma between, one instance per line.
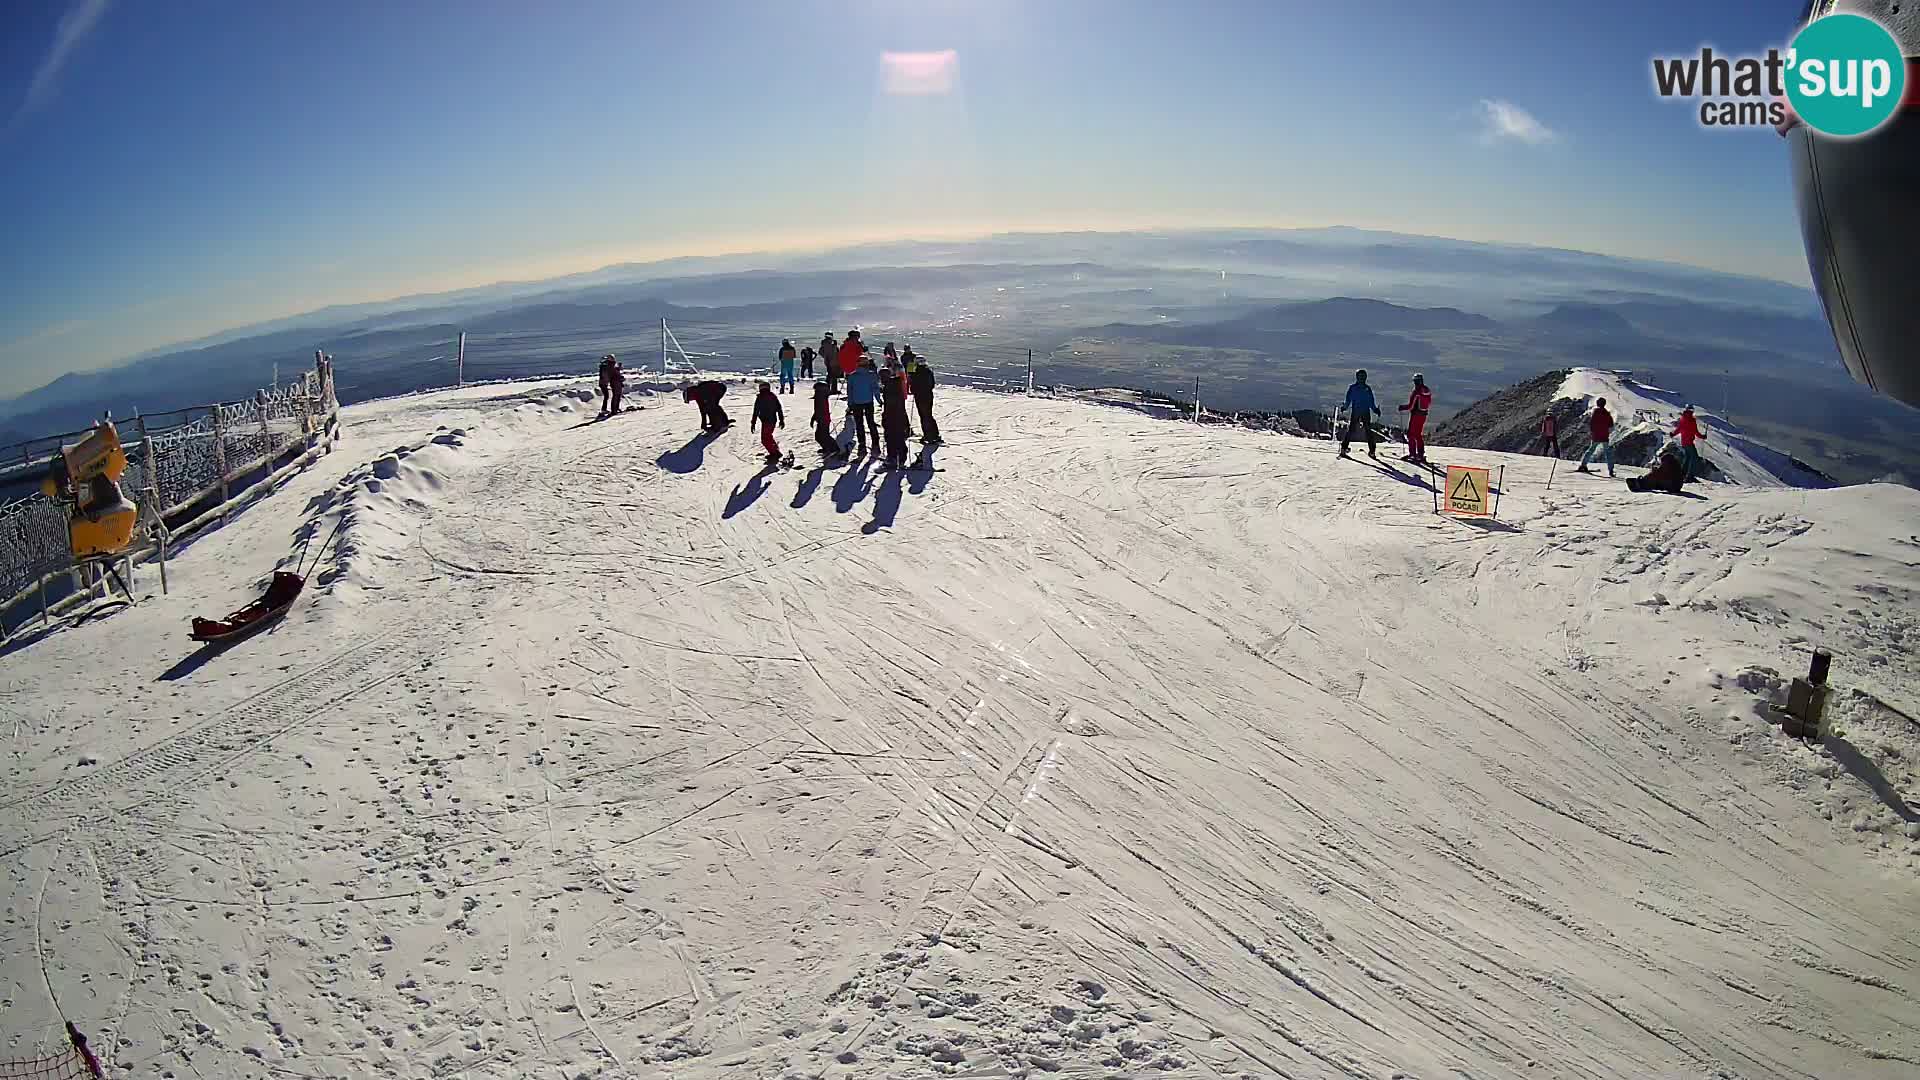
x=1846, y=76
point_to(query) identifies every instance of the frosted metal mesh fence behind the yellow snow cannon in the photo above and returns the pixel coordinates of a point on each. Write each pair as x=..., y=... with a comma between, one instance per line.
x=181, y=470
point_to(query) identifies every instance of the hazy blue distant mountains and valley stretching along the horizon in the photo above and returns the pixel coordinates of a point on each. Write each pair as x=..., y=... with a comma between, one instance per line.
x=1270, y=320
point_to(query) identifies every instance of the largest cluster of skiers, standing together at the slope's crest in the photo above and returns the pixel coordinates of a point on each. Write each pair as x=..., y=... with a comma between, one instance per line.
x=890, y=385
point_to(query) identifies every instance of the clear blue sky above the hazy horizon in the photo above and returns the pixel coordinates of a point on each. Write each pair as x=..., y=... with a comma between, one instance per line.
x=174, y=170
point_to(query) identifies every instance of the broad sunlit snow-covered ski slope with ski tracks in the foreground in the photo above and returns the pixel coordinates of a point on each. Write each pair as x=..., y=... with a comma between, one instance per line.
x=1115, y=749
